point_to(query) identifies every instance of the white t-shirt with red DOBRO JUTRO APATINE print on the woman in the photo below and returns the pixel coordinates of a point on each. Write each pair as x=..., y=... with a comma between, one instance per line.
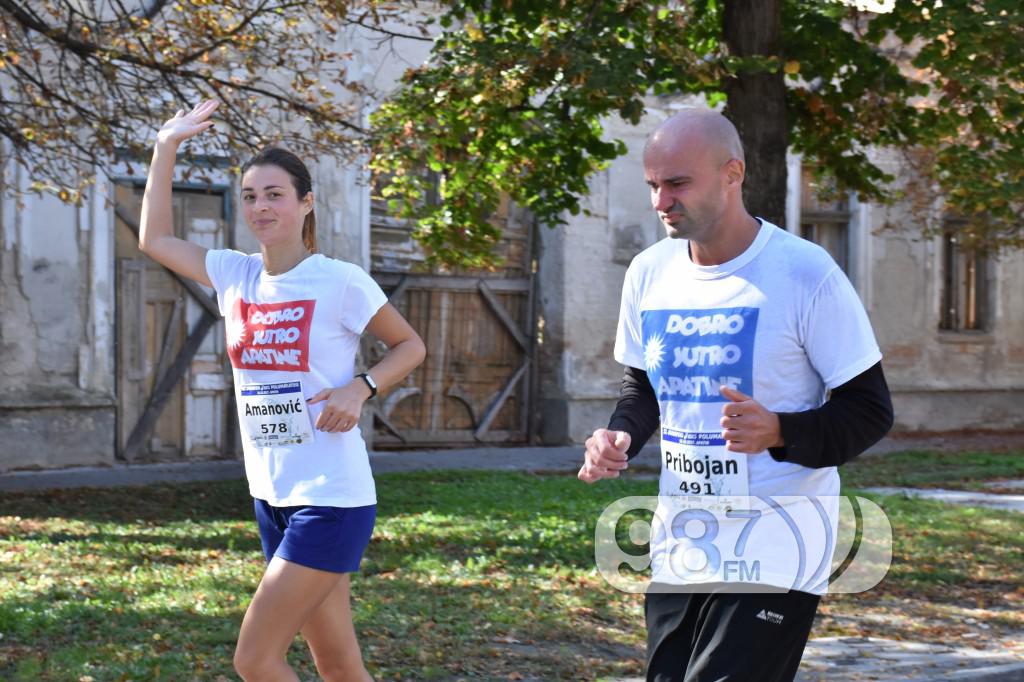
x=290, y=336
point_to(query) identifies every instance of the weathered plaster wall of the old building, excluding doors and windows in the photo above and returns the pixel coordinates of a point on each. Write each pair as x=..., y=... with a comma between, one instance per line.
x=58, y=405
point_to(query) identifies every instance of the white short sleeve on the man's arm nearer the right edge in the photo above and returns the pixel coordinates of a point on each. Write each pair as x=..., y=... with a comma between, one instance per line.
x=838, y=336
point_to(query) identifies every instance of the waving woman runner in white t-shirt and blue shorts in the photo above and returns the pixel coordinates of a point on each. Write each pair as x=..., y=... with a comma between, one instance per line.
x=293, y=321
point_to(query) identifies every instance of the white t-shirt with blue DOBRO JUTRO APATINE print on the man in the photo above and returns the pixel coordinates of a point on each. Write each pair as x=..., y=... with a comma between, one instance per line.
x=780, y=323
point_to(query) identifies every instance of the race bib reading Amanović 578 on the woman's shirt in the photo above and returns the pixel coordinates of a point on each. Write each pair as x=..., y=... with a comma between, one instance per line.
x=275, y=415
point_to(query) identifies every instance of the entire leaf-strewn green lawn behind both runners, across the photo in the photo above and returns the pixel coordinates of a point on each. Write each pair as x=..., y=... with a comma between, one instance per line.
x=470, y=576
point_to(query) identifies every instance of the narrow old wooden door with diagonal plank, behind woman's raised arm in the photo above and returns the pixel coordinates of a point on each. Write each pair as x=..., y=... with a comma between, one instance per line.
x=174, y=390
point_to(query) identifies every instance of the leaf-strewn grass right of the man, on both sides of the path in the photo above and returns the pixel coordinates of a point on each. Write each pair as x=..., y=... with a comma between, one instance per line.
x=958, y=573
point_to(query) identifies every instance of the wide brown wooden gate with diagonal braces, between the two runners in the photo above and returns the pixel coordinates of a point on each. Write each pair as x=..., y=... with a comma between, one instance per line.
x=476, y=385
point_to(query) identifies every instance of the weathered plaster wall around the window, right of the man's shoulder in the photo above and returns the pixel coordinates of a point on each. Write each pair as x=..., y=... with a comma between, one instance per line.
x=945, y=380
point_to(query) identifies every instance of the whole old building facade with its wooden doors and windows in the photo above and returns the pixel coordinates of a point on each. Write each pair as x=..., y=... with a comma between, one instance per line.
x=108, y=359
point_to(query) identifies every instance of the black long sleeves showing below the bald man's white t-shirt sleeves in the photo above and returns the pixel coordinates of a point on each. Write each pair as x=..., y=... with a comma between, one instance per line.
x=857, y=416
